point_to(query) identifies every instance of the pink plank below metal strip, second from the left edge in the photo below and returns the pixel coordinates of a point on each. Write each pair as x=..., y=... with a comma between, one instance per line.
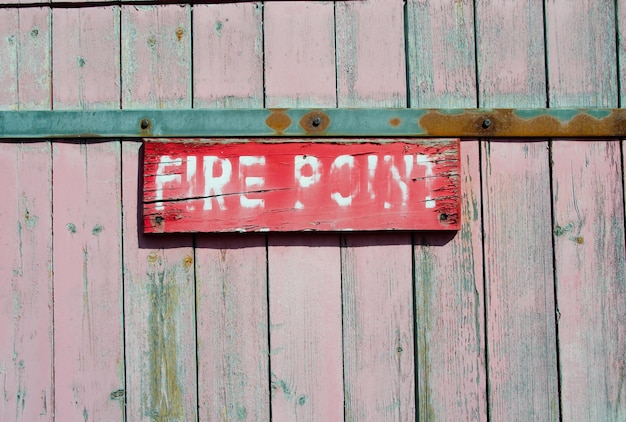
x=89, y=355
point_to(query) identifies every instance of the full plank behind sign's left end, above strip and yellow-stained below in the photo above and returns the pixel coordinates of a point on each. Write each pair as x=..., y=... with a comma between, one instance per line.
x=159, y=293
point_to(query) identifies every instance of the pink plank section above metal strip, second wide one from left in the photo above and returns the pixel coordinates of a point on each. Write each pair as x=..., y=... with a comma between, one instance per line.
x=86, y=65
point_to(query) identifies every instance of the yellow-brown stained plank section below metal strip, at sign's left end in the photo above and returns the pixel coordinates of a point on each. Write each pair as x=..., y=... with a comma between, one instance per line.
x=159, y=313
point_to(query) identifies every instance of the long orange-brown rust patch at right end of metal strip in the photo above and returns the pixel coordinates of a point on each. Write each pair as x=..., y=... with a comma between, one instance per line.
x=506, y=123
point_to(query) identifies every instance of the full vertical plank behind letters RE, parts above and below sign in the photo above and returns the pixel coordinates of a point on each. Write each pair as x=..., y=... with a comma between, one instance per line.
x=231, y=271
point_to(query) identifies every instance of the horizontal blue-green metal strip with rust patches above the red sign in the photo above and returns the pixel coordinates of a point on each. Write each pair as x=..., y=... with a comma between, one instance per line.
x=457, y=123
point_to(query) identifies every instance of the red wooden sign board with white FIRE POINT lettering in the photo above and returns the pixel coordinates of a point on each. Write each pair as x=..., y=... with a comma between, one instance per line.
x=226, y=185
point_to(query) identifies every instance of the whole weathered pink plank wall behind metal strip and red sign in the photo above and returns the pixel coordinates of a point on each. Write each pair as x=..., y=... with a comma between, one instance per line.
x=521, y=315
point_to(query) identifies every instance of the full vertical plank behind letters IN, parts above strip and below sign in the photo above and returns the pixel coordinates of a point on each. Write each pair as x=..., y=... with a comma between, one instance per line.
x=377, y=275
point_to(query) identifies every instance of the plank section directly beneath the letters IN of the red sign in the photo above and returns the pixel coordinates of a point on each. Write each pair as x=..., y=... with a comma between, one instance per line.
x=378, y=327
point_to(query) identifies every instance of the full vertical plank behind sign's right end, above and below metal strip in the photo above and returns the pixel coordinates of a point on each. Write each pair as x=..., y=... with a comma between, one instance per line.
x=449, y=284
